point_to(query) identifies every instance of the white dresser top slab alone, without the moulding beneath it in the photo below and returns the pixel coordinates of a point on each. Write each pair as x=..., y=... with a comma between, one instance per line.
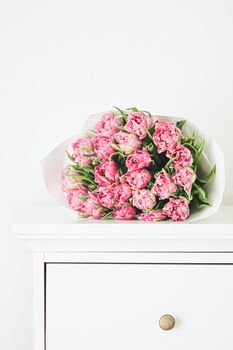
x=55, y=221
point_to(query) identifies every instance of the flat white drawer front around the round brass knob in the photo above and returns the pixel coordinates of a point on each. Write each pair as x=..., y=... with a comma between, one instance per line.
x=118, y=306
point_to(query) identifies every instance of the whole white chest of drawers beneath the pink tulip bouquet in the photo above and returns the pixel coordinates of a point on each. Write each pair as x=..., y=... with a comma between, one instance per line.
x=106, y=285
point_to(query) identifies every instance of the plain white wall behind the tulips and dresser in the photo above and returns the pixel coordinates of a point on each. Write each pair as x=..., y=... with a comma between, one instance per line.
x=63, y=60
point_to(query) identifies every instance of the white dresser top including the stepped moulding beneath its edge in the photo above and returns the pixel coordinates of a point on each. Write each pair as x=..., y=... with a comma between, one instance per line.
x=58, y=228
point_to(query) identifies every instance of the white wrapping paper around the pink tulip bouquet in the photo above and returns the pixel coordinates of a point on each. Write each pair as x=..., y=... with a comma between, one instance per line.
x=53, y=164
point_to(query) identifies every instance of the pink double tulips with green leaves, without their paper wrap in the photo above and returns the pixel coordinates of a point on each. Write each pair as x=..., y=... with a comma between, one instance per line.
x=134, y=165
